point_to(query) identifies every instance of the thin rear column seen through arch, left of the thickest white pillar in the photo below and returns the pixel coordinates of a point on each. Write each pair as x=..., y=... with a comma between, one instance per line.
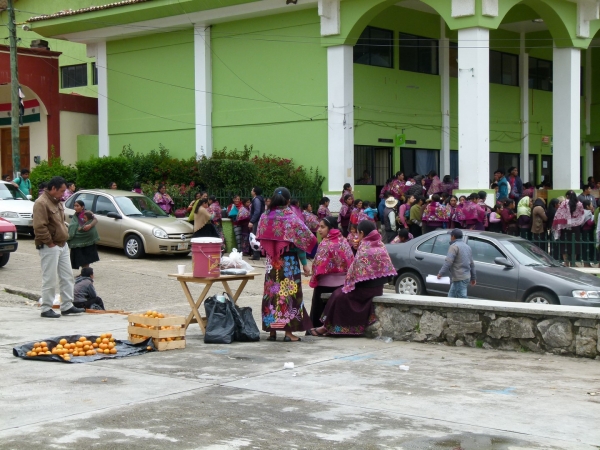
x=445, y=97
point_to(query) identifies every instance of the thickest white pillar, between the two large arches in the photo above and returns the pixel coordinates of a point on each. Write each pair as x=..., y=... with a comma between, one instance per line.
x=473, y=108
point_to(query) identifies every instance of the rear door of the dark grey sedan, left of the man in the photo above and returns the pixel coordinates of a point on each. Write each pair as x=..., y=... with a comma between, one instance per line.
x=430, y=256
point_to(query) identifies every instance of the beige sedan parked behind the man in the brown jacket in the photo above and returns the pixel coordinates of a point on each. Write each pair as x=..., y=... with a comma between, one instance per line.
x=133, y=222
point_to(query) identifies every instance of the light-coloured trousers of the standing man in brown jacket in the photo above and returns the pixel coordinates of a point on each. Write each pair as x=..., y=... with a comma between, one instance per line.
x=56, y=260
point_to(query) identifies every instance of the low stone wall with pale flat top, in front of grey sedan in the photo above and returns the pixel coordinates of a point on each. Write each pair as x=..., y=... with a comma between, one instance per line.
x=561, y=330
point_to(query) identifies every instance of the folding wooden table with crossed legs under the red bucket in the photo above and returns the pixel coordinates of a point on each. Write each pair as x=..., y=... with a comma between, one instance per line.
x=186, y=278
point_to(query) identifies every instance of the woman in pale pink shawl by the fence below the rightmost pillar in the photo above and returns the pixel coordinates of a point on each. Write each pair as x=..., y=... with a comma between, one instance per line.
x=566, y=227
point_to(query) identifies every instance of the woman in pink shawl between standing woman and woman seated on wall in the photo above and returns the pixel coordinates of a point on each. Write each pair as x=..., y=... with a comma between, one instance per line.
x=329, y=268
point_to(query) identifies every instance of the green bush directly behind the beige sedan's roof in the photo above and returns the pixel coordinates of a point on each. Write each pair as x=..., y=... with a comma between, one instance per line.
x=97, y=173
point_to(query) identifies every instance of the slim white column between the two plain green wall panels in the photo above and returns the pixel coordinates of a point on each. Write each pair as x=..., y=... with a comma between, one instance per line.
x=203, y=86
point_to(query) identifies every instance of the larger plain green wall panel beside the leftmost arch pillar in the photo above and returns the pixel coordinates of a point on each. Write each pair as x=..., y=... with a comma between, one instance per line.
x=259, y=62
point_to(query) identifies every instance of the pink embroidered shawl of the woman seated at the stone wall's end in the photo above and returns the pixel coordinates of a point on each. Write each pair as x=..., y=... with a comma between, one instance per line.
x=372, y=261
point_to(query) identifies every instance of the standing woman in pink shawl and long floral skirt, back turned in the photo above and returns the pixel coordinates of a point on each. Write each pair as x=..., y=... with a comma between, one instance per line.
x=285, y=239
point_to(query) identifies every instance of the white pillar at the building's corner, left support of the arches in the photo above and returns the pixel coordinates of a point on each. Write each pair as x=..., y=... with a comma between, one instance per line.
x=340, y=111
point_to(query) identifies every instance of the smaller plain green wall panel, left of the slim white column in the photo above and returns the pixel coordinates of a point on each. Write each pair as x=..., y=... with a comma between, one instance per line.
x=151, y=93
